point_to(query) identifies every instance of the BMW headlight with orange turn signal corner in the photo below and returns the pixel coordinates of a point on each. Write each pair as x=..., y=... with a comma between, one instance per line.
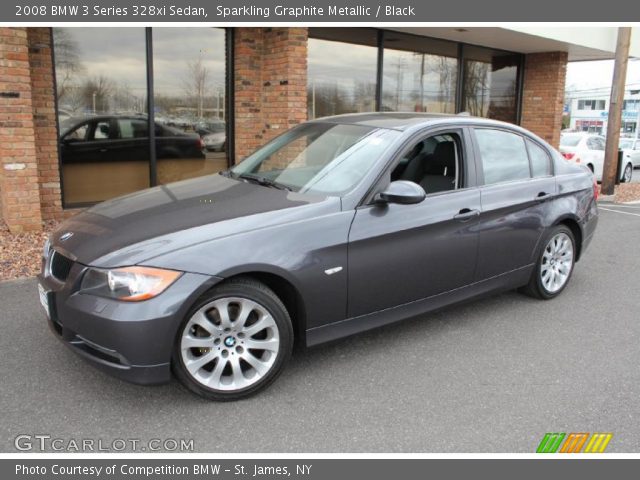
x=130, y=284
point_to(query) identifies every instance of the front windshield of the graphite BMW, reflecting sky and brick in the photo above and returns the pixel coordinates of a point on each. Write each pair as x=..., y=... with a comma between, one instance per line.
x=323, y=158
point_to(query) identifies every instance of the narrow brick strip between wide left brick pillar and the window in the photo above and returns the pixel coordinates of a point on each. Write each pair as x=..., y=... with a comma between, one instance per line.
x=44, y=120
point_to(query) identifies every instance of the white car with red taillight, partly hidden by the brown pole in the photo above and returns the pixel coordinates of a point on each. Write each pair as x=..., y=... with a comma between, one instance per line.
x=588, y=149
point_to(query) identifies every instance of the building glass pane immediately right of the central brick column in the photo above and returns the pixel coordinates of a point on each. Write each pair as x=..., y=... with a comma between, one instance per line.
x=341, y=75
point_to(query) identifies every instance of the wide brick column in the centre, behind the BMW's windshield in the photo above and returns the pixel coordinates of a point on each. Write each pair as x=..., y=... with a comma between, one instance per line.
x=270, y=84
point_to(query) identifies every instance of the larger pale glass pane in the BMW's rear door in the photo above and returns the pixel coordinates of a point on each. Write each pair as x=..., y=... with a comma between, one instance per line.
x=503, y=154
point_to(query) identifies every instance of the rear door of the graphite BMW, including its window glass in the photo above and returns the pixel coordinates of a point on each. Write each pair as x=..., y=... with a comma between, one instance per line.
x=517, y=180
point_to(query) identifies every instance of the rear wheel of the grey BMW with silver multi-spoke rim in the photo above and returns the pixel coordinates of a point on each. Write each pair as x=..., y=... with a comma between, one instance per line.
x=543, y=283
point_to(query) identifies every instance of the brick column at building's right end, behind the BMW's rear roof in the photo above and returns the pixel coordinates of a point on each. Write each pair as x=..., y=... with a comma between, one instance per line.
x=543, y=94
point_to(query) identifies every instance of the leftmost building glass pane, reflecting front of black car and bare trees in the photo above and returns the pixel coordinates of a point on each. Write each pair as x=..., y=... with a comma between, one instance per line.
x=100, y=77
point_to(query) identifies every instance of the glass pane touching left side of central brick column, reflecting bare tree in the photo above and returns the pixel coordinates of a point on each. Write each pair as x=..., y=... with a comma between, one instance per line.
x=189, y=96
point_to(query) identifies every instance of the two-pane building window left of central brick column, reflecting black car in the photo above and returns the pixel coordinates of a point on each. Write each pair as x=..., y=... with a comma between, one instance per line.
x=101, y=78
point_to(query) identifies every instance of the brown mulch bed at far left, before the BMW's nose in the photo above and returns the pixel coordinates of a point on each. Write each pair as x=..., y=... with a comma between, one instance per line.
x=20, y=254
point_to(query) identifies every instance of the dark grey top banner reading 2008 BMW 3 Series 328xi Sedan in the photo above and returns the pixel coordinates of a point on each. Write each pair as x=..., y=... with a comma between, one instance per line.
x=347, y=11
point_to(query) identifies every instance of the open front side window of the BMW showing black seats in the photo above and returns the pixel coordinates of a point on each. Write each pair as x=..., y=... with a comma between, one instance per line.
x=433, y=163
